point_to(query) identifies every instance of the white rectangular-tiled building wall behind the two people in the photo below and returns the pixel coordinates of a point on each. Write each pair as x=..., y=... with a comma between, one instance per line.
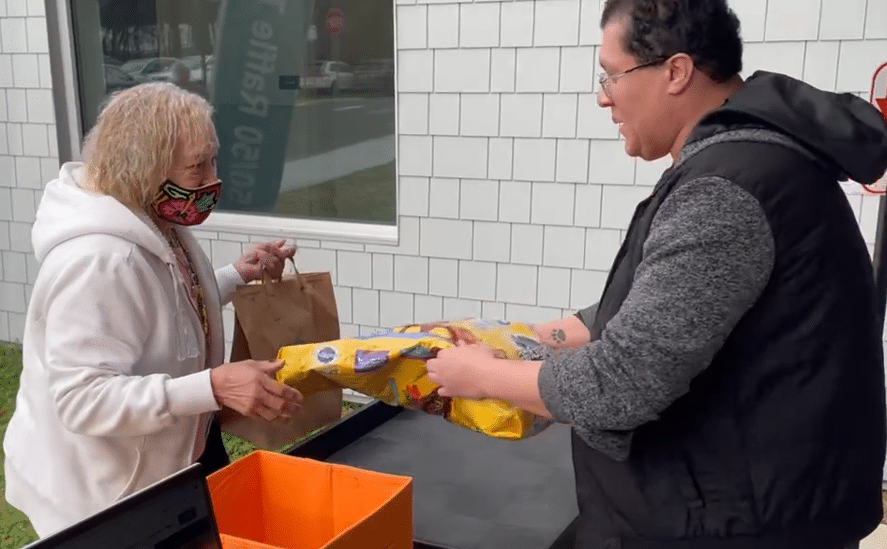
x=514, y=187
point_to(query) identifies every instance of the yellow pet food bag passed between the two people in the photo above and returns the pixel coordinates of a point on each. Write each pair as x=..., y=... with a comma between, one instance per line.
x=390, y=366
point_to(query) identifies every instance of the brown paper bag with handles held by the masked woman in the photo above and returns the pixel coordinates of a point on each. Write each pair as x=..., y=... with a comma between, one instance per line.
x=299, y=308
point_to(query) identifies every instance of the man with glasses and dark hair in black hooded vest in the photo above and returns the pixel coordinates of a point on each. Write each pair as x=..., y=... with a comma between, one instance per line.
x=727, y=390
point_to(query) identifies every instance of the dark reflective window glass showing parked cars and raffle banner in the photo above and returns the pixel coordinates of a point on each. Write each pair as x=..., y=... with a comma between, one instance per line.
x=303, y=92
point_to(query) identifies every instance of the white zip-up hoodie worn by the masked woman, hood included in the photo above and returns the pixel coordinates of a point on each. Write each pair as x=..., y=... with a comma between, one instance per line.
x=115, y=376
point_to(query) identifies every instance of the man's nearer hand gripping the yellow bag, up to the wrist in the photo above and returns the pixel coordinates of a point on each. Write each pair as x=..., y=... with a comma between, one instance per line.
x=462, y=371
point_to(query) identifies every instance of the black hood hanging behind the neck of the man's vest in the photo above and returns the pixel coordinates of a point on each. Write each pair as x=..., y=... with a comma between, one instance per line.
x=842, y=130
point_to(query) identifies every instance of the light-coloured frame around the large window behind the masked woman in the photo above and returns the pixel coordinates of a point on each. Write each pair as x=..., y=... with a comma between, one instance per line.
x=70, y=131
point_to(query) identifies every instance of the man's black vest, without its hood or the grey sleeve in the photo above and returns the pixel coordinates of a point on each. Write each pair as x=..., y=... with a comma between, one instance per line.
x=780, y=442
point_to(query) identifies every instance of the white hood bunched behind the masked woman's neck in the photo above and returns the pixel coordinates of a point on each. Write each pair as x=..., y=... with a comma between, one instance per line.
x=67, y=211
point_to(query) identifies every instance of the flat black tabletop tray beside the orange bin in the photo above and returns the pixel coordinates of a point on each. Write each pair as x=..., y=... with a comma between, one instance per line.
x=470, y=491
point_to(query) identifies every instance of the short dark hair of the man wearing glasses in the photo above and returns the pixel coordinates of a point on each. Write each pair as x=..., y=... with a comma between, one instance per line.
x=706, y=30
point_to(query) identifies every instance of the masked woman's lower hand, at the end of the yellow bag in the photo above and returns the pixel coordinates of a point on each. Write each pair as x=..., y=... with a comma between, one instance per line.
x=247, y=388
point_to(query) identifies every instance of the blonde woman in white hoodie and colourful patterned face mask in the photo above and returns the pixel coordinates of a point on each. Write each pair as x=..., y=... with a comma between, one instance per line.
x=123, y=344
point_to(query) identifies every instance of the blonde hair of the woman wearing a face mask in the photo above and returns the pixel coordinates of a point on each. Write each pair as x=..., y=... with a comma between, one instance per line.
x=130, y=150
